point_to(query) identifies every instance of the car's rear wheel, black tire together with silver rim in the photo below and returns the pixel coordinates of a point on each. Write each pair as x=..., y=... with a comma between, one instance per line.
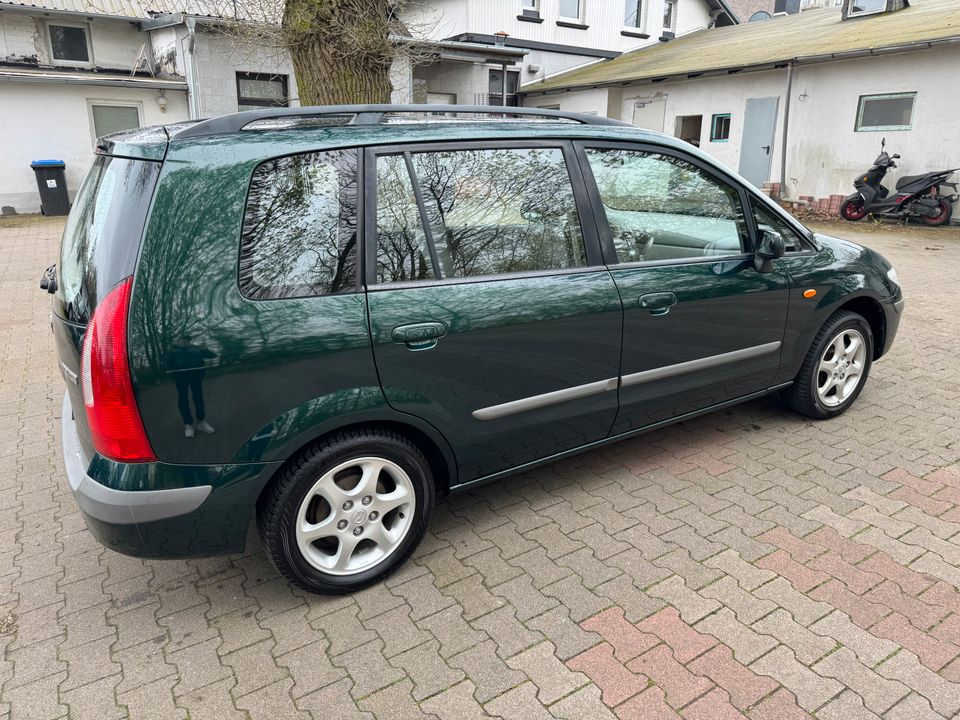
x=346, y=513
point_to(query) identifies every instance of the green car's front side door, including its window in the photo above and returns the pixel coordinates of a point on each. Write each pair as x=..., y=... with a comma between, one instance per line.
x=701, y=325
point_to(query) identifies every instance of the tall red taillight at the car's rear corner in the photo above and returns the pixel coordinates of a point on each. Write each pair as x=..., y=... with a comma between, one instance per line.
x=112, y=414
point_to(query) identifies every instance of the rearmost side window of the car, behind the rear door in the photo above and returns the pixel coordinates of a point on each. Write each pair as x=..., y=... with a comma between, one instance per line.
x=300, y=227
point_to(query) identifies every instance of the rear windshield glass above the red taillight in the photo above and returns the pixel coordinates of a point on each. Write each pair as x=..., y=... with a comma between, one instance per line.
x=102, y=237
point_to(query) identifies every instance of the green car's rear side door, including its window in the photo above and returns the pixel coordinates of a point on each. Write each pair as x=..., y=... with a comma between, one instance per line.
x=492, y=315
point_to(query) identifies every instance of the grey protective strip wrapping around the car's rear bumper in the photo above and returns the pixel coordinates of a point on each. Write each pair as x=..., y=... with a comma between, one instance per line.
x=120, y=507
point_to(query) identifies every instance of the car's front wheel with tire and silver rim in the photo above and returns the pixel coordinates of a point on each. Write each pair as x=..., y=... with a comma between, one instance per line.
x=835, y=369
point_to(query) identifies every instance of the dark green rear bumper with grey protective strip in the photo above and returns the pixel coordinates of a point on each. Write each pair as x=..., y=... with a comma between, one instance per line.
x=186, y=518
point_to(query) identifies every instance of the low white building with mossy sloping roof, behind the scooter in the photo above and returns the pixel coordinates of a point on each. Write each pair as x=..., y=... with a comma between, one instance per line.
x=802, y=99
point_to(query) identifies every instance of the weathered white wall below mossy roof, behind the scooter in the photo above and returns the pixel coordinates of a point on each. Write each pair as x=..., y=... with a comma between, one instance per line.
x=825, y=152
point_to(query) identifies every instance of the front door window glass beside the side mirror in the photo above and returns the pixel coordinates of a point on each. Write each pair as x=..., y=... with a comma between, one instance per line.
x=661, y=207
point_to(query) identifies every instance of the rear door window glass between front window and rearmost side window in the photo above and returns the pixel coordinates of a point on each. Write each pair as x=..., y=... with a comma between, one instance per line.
x=488, y=212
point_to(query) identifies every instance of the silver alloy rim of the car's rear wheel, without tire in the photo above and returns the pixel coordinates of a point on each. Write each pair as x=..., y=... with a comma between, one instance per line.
x=355, y=515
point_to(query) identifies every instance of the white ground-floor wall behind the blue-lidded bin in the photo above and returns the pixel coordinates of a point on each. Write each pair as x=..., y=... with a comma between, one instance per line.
x=41, y=121
